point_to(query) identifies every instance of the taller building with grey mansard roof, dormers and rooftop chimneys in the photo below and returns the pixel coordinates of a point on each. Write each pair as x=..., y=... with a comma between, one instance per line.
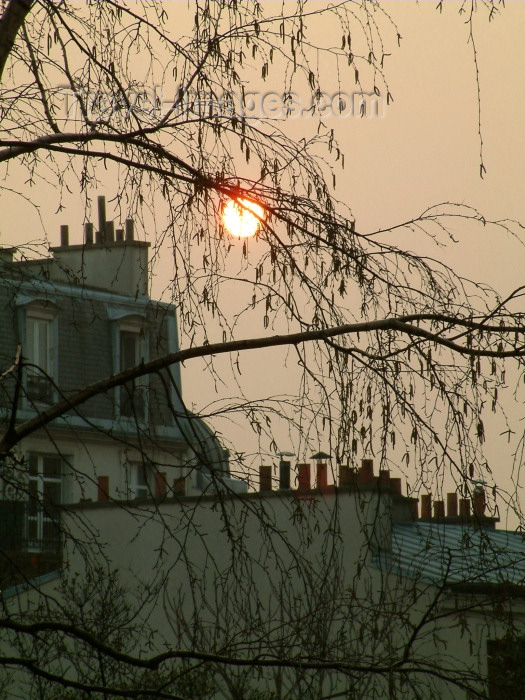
x=73, y=319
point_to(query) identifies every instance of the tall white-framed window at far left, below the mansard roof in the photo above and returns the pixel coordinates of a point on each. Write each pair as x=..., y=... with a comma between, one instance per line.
x=45, y=495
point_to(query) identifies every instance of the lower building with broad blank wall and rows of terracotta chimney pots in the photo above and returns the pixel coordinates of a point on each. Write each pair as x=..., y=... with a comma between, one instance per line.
x=348, y=579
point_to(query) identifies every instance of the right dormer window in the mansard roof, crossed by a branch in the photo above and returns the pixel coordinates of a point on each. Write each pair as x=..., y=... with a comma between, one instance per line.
x=133, y=395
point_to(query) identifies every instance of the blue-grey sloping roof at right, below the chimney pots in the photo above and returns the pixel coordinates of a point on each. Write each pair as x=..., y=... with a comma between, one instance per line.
x=440, y=553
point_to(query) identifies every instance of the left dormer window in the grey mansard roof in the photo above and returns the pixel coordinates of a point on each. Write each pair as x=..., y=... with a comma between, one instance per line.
x=40, y=352
